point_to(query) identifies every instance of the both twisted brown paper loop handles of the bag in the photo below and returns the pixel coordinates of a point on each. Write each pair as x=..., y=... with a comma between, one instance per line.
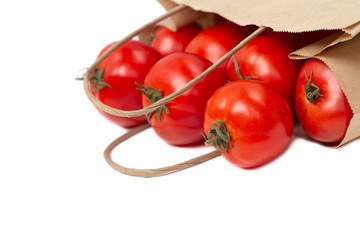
x=156, y=105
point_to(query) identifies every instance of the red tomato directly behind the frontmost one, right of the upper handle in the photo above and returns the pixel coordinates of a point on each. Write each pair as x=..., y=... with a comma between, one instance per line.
x=267, y=59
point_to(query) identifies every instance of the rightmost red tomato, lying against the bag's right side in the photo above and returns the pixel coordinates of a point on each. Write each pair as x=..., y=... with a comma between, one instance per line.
x=321, y=106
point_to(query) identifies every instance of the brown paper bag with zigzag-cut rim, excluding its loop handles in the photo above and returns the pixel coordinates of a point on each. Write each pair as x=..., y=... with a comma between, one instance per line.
x=341, y=51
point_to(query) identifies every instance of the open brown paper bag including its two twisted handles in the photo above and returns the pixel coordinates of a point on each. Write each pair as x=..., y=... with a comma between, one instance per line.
x=339, y=51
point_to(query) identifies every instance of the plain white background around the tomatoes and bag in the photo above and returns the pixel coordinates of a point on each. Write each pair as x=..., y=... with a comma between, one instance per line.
x=55, y=183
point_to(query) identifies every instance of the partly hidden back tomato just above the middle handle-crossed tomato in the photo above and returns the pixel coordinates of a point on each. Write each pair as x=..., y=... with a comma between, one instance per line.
x=214, y=42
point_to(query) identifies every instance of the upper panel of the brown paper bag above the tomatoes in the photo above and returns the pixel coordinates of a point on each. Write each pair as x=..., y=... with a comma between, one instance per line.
x=280, y=15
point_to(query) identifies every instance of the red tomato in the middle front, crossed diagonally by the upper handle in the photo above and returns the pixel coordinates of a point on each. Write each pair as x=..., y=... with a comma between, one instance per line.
x=180, y=121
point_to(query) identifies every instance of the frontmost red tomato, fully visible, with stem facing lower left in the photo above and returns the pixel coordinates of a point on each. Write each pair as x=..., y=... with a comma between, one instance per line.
x=249, y=122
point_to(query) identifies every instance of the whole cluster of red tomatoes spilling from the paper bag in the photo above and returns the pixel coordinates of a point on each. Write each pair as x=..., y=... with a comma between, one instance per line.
x=245, y=108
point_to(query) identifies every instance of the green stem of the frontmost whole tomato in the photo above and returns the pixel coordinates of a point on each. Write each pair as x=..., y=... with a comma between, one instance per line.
x=218, y=136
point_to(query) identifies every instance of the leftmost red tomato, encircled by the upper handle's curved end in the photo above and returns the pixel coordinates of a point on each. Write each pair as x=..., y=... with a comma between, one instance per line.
x=114, y=84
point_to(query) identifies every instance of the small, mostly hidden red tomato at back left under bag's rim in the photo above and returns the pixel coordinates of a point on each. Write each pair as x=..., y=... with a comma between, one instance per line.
x=167, y=42
